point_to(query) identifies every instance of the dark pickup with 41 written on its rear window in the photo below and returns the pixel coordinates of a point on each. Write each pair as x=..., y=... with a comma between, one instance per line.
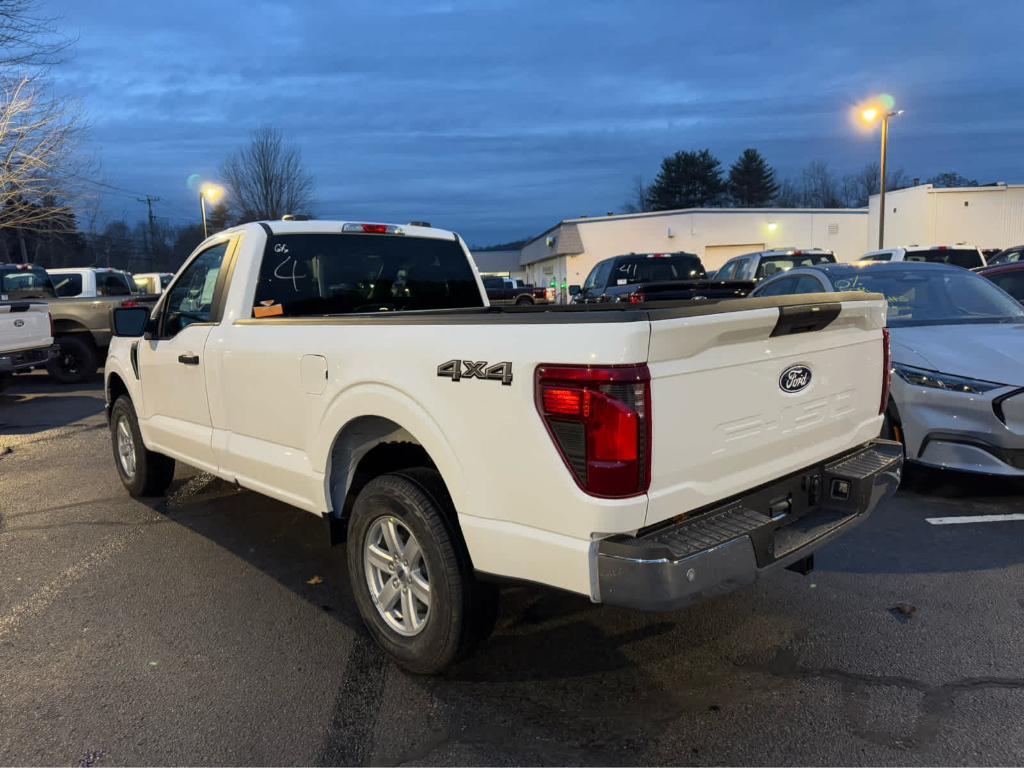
x=654, y=277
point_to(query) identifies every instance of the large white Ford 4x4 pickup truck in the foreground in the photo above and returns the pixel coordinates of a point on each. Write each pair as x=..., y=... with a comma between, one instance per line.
x=658, y=453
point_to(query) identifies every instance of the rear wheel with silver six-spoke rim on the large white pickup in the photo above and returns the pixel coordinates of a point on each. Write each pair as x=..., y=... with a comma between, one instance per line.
x=410, y=574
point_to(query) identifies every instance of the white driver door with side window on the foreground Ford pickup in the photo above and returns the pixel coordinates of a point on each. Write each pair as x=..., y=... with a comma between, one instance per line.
x=173, y=368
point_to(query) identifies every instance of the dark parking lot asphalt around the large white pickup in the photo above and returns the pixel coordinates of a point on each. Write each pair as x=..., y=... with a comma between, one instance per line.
x=217, y=628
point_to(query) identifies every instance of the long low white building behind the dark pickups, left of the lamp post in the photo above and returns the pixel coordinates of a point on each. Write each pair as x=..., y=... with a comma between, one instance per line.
x=567, y=252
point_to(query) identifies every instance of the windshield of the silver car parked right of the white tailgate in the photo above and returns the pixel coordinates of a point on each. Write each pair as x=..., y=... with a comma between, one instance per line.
x=934, y=297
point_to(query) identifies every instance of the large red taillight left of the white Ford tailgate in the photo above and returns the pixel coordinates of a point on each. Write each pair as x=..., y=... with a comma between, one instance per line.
x=600, y=420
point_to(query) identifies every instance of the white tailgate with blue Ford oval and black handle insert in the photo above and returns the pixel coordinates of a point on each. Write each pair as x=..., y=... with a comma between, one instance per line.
x=723, y=421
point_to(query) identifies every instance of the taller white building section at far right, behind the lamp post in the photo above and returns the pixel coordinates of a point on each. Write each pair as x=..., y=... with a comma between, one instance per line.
x=983, y=217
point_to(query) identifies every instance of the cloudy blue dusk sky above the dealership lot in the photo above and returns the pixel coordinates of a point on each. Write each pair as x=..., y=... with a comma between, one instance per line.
x=497, y=119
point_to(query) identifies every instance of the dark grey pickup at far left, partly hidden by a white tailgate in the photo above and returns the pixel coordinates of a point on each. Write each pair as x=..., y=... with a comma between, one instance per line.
x=81, y=325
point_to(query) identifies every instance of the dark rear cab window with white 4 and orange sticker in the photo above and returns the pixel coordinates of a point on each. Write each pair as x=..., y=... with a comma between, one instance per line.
x=306, y=275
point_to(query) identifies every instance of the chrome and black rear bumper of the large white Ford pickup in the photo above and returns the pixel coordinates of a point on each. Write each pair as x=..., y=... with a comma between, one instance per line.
x=734, y=544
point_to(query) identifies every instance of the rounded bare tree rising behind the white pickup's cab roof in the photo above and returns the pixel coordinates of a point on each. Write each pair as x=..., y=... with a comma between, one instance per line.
x=267, y=180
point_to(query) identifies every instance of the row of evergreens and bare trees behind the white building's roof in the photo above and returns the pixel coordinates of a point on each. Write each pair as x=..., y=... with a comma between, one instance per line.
x=697, y=180
